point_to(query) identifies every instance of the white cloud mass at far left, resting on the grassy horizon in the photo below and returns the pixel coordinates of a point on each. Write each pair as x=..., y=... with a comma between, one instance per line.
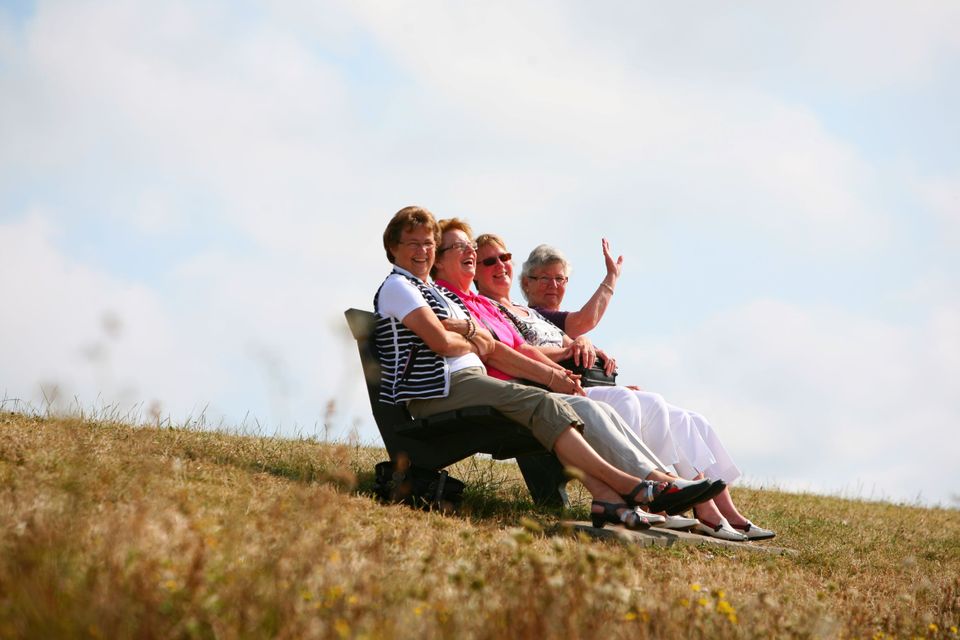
x=90, y=333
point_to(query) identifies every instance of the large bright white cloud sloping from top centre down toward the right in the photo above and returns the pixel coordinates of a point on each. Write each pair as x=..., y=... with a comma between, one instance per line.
x=700, y=152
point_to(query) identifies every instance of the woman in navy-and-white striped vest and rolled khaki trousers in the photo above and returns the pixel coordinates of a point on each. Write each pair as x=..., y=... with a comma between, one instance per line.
x=434, y=369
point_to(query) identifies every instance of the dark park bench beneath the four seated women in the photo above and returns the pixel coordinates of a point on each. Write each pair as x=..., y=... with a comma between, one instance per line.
x=442, y=439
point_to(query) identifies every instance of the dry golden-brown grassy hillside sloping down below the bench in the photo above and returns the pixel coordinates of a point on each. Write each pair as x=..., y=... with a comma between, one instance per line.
x=108, y=530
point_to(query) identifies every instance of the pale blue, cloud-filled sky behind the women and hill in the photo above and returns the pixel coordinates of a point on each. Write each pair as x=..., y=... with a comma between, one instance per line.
x=191, y=194
